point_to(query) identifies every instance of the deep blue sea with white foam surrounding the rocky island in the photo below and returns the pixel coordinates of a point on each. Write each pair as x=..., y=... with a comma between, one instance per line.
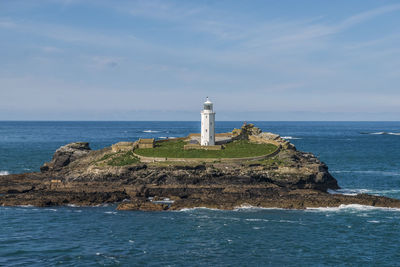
x=363, y=156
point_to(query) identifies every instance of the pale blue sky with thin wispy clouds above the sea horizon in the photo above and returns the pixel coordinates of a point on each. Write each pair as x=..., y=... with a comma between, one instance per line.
x=158, y=60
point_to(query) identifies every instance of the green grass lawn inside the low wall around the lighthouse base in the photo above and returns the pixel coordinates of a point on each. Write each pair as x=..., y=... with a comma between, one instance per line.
x=236, y=149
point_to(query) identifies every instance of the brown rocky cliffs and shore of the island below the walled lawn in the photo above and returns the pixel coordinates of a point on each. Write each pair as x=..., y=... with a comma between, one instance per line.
x=80, y=176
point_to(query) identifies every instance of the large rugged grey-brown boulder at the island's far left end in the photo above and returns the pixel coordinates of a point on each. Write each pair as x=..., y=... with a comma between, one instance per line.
x=65, y=155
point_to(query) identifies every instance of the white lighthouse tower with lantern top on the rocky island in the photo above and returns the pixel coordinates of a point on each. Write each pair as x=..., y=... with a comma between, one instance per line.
x=207, y=124
